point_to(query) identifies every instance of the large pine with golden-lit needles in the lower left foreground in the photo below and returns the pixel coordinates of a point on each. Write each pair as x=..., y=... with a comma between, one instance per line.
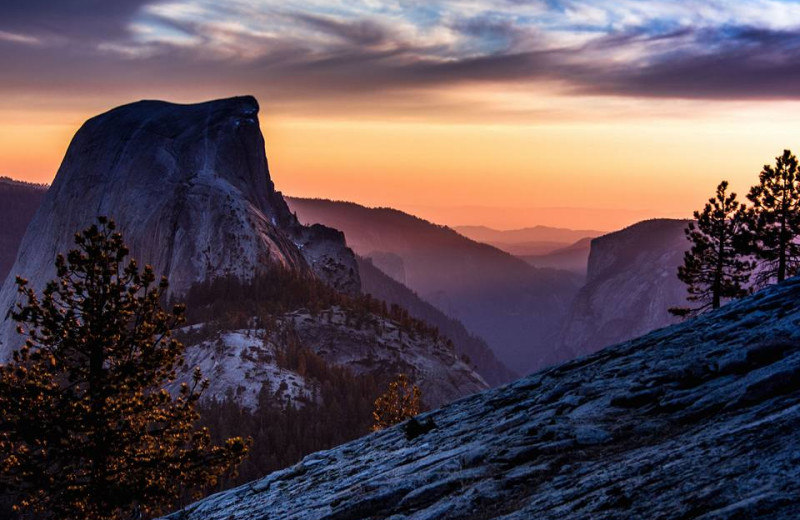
x=87, y=429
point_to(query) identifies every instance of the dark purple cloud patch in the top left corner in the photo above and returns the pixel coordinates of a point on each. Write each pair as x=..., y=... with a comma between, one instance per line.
x=79, y=19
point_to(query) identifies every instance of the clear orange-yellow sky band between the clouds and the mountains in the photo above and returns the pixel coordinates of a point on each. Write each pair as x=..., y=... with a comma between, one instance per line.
x=603, y=172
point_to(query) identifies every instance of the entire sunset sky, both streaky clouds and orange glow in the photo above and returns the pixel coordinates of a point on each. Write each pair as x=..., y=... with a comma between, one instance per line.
x=507, y=113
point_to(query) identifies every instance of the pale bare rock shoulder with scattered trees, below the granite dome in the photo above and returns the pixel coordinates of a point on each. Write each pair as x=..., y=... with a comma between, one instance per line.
x=243, y=361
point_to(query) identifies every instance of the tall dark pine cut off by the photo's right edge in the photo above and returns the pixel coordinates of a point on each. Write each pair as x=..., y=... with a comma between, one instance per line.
x=775, y=219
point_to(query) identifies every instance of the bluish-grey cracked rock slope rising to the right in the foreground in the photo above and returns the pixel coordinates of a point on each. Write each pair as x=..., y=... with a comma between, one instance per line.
x=698, y=420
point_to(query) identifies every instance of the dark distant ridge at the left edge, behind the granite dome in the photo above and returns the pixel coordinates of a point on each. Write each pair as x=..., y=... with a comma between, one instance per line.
x=18, y=202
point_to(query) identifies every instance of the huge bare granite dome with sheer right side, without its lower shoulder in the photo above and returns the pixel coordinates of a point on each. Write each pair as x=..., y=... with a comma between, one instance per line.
x=190, y=189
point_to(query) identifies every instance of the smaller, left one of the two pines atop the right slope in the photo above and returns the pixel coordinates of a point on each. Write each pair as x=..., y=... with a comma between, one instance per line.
x=715, y=268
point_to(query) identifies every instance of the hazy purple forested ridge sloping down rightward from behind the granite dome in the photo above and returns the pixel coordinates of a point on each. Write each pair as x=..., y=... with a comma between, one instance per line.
x=515, y=307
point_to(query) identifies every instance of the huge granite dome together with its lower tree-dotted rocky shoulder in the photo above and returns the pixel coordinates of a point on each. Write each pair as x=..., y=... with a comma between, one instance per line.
x=190, y=189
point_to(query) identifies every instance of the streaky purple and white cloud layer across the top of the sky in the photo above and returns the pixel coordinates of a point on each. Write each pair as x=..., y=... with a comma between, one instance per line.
x=708, y=49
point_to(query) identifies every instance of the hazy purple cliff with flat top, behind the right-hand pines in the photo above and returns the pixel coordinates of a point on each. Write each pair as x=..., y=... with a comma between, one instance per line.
x=631, y=283
